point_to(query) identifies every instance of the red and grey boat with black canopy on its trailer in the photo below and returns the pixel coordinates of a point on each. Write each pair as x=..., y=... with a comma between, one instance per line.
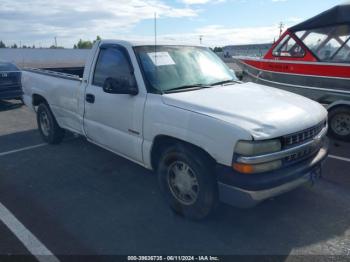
x=313, y=60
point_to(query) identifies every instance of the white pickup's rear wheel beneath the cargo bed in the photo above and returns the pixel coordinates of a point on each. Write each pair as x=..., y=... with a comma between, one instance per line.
x=48, y=128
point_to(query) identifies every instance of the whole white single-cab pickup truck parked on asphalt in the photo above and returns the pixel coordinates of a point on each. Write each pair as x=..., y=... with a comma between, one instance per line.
x=179, y=110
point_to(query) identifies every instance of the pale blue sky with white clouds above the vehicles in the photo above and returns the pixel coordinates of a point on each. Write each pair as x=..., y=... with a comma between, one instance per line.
x=221, y=22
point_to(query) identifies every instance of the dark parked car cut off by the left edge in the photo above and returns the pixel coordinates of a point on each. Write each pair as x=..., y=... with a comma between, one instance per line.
x=10, y=81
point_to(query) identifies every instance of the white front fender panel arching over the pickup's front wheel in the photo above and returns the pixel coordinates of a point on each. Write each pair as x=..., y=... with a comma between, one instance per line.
x=216, y=137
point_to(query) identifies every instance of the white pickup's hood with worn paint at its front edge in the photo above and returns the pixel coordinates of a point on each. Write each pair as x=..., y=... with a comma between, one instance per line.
x=263, y=111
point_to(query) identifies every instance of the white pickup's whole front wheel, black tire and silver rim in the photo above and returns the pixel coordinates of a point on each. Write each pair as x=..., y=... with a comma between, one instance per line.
x=188, y=182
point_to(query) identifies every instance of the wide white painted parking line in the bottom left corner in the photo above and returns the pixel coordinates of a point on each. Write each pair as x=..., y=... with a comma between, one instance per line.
x=34, y=246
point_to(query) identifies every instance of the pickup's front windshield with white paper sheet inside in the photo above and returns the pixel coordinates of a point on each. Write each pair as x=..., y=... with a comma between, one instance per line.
x=173, y=67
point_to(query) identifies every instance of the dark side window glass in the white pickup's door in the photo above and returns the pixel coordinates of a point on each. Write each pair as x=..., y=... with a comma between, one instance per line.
x=112, y=63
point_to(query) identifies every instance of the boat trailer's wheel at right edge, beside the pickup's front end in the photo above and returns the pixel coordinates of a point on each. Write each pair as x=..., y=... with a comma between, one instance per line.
x=339, y=123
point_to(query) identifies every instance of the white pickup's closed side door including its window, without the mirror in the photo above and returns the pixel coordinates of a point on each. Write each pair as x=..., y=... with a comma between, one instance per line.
x=113, y=120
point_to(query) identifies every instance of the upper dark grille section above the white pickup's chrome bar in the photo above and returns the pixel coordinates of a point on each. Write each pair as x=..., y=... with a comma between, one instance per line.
x=303, y=136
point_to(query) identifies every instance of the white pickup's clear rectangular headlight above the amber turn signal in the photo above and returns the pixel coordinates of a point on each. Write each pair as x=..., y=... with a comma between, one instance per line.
x=254, y=148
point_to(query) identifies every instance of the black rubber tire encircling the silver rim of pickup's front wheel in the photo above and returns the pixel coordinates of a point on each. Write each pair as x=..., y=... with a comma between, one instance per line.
x=202, y=168
